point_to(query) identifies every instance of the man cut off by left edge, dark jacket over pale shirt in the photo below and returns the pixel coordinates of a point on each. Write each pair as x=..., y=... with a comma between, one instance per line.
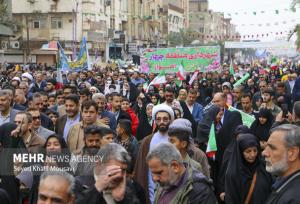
x=7, y=114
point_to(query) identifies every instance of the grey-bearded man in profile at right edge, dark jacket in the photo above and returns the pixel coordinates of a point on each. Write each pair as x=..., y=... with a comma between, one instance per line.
x=282, y=155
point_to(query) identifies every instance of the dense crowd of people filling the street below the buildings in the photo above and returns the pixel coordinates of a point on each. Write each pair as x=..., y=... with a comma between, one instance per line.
x=123, y=142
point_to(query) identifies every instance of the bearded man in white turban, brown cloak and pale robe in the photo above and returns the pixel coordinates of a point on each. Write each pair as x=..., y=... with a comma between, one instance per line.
x=163, y=115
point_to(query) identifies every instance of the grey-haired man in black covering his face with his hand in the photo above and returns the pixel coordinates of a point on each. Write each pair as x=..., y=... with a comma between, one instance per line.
x=111, y=185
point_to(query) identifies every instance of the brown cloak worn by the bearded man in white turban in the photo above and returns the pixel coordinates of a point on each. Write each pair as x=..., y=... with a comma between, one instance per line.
x=141, y=168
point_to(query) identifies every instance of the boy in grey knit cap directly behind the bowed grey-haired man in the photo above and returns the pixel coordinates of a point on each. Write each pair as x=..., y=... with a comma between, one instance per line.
x=180, y=132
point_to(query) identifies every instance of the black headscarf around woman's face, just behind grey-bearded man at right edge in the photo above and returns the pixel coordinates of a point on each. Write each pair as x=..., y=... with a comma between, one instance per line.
x=259, y=130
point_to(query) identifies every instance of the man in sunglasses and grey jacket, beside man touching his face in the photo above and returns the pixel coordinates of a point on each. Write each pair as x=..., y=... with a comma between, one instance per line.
x=36, y=124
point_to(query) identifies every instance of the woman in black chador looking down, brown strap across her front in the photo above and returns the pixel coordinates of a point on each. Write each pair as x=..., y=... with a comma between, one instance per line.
x=244, y=165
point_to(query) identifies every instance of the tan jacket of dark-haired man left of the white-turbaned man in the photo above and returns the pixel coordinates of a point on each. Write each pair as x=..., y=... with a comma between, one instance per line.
x=76, y=135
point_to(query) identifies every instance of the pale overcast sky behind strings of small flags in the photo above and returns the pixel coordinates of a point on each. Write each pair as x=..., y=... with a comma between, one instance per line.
x=245, y=17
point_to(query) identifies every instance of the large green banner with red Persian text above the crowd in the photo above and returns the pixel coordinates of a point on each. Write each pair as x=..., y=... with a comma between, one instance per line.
x=168, y=60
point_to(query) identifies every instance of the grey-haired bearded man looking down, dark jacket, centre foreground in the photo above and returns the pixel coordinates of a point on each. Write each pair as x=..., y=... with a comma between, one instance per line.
x=177, y=184
